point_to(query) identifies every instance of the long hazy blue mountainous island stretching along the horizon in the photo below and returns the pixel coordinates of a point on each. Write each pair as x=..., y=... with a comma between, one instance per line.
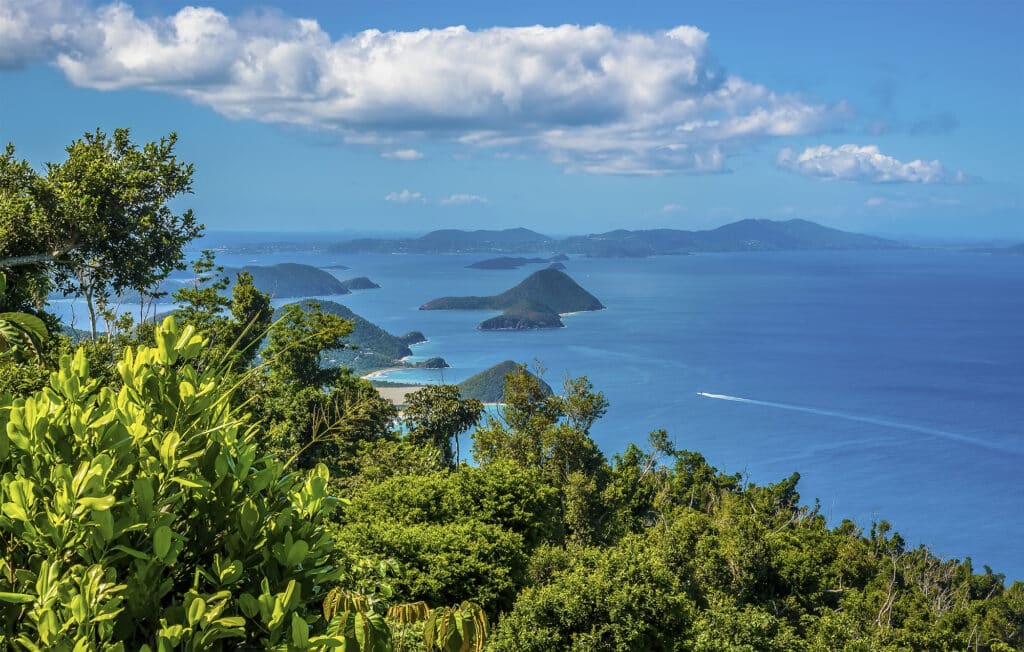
x=749, y=235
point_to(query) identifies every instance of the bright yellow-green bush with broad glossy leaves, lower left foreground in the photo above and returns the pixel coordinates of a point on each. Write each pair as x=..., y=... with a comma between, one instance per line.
x=144, y=514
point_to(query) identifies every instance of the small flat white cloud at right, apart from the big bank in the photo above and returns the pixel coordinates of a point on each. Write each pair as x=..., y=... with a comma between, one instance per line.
x=865, y=163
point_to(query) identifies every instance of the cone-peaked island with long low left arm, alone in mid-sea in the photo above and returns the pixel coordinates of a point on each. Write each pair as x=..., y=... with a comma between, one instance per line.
x=535, y=303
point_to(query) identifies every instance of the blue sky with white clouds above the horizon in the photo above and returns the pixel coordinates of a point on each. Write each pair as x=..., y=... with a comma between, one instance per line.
x=897, y=118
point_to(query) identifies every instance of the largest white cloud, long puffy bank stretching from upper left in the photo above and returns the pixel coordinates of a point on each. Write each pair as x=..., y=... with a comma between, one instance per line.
x=593, y=99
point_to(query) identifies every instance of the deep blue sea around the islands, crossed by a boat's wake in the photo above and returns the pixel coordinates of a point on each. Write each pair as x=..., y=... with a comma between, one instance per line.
x=892, y=381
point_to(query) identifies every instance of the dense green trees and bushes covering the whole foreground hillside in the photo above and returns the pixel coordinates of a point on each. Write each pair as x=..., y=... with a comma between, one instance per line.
x=164, y=488
